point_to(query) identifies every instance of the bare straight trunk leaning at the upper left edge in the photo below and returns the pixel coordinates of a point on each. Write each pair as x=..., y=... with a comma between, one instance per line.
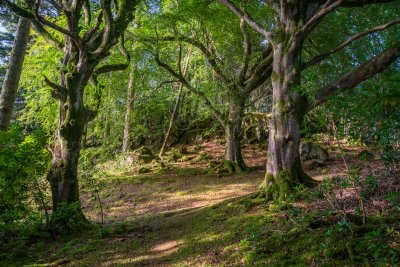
x=10, y=85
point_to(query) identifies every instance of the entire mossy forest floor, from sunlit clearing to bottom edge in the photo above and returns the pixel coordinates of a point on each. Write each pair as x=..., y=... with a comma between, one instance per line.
x=187, y=216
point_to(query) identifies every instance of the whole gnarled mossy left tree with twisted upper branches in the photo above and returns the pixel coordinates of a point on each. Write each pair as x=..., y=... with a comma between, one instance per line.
x=85, y=43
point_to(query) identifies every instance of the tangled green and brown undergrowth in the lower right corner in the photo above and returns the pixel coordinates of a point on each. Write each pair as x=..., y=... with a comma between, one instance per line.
x=335, y=233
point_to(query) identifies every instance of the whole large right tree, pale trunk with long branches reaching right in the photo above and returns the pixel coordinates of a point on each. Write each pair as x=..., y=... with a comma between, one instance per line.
x=294, y=22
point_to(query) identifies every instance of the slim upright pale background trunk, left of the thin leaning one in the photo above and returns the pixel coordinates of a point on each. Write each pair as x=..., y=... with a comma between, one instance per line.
x=126, y=142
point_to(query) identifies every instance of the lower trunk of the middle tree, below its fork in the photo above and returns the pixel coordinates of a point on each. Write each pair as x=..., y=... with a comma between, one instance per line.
x=233, y=134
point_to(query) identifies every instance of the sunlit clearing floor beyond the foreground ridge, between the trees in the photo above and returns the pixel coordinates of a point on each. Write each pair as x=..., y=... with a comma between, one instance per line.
x=181, y=188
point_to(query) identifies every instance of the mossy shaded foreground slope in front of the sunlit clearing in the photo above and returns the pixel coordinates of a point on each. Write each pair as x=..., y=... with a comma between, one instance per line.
x=238, y=232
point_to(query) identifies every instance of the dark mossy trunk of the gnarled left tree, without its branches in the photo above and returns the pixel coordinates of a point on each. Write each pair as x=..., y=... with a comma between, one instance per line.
x=73, y=117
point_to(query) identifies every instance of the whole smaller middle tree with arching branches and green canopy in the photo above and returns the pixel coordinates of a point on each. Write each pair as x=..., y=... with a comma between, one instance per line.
x=238, y=76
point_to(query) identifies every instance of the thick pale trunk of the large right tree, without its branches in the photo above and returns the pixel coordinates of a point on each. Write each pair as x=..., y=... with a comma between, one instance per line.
x=284, y=169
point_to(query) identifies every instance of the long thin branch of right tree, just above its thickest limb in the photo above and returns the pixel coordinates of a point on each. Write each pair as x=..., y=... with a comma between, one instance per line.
x=327, y=54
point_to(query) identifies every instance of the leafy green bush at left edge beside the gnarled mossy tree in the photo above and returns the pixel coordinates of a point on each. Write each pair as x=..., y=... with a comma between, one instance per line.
x=23, y=161
